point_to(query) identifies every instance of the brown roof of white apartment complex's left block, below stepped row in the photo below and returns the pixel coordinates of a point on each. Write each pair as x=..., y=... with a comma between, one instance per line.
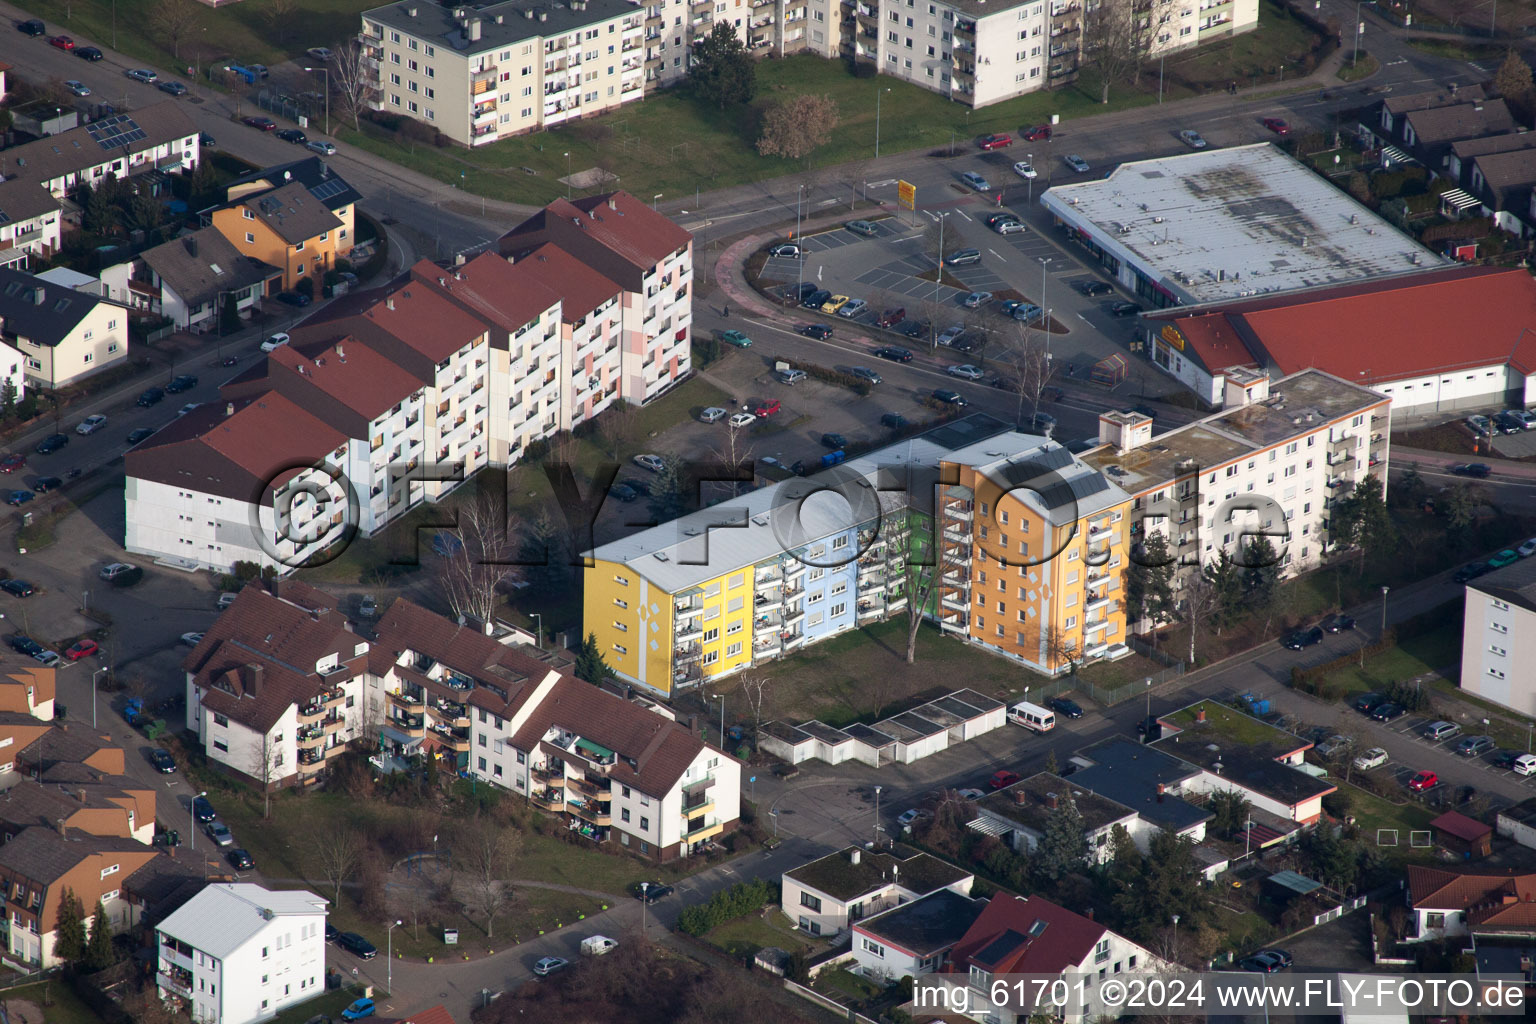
x=259, y=658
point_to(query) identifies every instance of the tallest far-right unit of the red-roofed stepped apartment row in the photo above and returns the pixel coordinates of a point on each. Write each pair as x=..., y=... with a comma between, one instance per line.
x=649, y=257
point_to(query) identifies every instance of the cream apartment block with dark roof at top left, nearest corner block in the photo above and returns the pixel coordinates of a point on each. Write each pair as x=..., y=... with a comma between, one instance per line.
x=480, y=73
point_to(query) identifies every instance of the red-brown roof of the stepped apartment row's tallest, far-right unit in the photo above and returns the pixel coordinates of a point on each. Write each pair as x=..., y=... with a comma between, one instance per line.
x=617, y=234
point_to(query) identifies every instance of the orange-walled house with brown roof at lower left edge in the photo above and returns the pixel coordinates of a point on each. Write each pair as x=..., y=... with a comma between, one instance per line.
x=39, y=865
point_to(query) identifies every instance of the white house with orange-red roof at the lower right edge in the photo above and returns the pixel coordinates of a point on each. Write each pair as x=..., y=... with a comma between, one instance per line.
x=1452, y=903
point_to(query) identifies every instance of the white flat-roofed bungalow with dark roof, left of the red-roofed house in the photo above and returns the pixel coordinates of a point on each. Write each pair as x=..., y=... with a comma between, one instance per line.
x=829, y=894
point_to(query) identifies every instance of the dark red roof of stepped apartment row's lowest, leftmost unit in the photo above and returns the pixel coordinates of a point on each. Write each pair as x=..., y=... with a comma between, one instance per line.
x=237, y=455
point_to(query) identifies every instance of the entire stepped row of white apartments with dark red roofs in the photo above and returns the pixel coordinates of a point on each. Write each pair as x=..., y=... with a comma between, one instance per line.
x=394, y=397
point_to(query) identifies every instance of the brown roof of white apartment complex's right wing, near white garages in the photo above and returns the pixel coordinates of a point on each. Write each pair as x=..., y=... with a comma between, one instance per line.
x=654, y=751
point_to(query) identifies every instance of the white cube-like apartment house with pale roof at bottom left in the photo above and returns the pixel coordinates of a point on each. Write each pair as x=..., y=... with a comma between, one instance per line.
x=239, y=954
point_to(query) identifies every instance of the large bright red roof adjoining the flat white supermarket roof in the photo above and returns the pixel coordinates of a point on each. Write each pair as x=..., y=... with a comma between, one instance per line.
x=1386, y=331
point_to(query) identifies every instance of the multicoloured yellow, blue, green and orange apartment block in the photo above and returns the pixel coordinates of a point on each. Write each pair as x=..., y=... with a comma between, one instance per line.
x=1024, y=547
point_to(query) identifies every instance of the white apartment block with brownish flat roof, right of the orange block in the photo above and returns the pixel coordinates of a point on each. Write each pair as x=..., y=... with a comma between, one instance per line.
x=1271, y=464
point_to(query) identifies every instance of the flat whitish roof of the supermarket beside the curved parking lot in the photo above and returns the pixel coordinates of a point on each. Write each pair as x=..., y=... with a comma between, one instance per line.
x=1226, y=223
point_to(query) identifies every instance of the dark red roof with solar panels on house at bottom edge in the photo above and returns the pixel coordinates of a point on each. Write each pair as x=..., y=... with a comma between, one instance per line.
x=1027, y=936
